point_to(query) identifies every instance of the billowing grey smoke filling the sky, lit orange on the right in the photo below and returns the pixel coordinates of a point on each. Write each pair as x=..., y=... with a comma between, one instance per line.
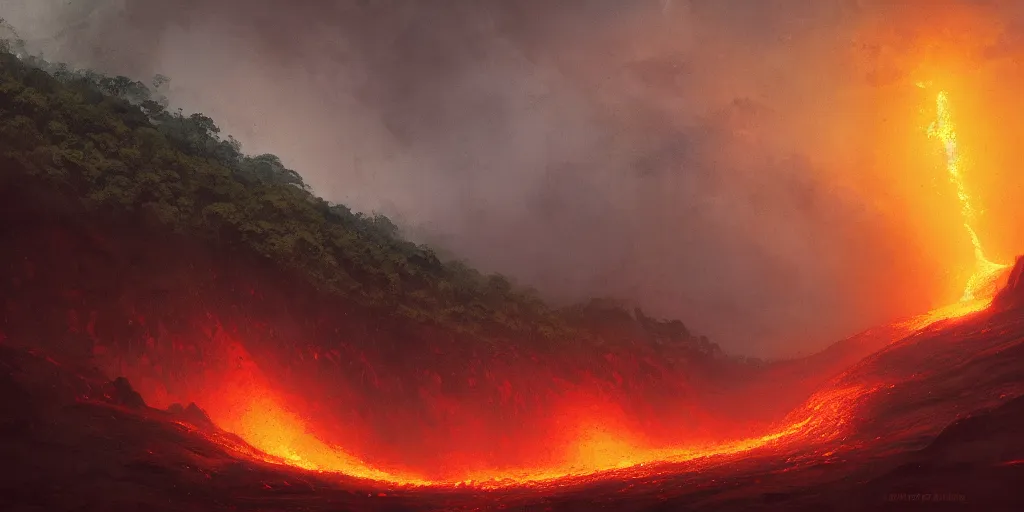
x=758, y=169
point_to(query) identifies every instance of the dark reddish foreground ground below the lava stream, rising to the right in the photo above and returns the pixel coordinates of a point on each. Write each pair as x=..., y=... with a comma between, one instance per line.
x=941, y=418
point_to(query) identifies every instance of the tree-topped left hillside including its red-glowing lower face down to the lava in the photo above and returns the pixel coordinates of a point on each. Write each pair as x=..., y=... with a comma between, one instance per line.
x=142, y=240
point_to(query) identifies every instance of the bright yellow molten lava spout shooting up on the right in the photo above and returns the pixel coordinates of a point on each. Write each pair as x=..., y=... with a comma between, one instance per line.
x=982, y=285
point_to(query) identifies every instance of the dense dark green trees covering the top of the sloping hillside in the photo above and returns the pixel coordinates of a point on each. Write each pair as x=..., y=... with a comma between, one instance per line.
x=112, y=146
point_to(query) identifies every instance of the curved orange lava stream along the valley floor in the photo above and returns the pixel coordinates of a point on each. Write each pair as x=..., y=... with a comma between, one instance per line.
x=281, y=438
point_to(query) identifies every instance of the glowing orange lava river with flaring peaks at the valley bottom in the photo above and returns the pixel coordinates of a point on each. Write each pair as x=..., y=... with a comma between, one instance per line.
x=242, y=402
